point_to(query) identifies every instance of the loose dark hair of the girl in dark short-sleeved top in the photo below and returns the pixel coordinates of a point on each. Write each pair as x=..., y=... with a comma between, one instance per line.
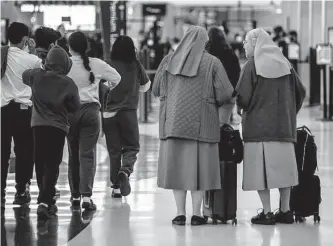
x=123, y=50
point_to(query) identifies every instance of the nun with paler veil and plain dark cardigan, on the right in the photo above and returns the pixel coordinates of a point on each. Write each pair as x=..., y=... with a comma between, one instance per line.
x=271, y=94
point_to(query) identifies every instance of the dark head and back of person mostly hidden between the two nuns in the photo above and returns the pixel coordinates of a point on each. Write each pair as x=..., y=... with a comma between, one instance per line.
x=219, y=47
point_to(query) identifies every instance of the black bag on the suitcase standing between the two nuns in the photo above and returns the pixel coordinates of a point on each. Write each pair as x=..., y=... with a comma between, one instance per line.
x=231, y=146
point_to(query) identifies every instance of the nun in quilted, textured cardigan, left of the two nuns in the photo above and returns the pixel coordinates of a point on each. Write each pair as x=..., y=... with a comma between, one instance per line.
x=191, y=85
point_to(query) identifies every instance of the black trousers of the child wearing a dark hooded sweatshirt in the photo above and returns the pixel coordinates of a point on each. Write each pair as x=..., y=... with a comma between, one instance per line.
x=49, y=146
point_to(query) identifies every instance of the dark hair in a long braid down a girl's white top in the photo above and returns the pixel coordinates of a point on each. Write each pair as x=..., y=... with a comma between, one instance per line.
x=79, y=43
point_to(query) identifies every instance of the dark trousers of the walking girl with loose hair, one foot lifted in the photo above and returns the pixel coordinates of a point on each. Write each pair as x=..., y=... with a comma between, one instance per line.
x=122, y=140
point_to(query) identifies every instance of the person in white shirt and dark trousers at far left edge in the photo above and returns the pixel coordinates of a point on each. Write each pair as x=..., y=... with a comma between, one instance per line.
x=16, y=111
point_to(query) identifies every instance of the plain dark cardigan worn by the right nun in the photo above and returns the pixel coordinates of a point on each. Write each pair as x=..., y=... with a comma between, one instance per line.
x=270, y=105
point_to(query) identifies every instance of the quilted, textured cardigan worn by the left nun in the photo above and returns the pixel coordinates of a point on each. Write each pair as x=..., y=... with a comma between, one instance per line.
x=189, y=105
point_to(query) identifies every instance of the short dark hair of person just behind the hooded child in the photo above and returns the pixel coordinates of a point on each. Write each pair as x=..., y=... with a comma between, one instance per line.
x=44, y=36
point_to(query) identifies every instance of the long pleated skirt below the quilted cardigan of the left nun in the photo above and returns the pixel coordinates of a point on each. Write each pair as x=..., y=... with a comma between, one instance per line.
x=188, y=165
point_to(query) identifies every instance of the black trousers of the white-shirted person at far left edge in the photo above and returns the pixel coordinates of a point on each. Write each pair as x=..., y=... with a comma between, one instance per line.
x=15, y=123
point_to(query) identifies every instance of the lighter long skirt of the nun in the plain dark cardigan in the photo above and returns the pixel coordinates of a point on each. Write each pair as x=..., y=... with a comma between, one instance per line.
x=269, y=165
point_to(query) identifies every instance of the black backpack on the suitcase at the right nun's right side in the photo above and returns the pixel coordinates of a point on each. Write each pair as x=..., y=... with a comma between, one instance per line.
x=306, y=152
